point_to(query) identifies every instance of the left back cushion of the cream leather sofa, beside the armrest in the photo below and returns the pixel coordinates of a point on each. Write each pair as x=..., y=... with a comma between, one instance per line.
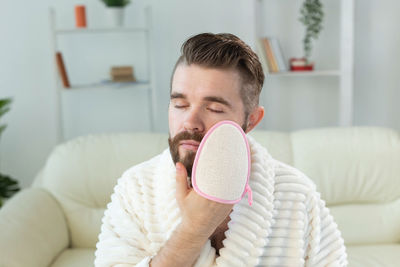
x=82, y=173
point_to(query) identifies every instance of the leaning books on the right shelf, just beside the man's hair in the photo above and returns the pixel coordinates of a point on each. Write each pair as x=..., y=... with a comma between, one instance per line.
x=271, y=53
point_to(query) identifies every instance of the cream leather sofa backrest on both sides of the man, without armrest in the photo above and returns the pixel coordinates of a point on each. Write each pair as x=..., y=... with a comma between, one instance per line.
x=357, y=171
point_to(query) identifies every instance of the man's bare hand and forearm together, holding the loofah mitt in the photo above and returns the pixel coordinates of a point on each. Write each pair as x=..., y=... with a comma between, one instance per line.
x=200, y=218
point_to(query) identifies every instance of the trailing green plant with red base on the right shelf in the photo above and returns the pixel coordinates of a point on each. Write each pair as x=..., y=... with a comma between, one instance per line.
x=312, y=16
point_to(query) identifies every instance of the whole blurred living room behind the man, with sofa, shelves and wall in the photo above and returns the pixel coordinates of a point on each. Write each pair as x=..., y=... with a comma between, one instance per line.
x=75, y=74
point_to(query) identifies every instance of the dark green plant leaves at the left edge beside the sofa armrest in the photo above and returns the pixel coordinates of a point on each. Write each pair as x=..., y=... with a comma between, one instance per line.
x=8, y=186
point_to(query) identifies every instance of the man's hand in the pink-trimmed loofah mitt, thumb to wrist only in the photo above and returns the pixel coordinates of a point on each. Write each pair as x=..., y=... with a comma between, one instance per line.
x=200, y=216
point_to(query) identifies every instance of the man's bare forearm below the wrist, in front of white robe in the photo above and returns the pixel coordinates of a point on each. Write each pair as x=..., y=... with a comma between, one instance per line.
x=182, y=249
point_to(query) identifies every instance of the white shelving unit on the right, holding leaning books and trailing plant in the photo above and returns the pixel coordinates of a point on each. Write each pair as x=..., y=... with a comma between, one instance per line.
x=345, y=73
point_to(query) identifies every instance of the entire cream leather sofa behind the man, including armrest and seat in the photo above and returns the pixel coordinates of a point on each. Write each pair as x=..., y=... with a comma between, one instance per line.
x=56, y=222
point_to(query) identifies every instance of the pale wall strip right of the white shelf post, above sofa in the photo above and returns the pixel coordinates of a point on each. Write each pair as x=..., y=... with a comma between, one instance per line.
x=377, y=63
